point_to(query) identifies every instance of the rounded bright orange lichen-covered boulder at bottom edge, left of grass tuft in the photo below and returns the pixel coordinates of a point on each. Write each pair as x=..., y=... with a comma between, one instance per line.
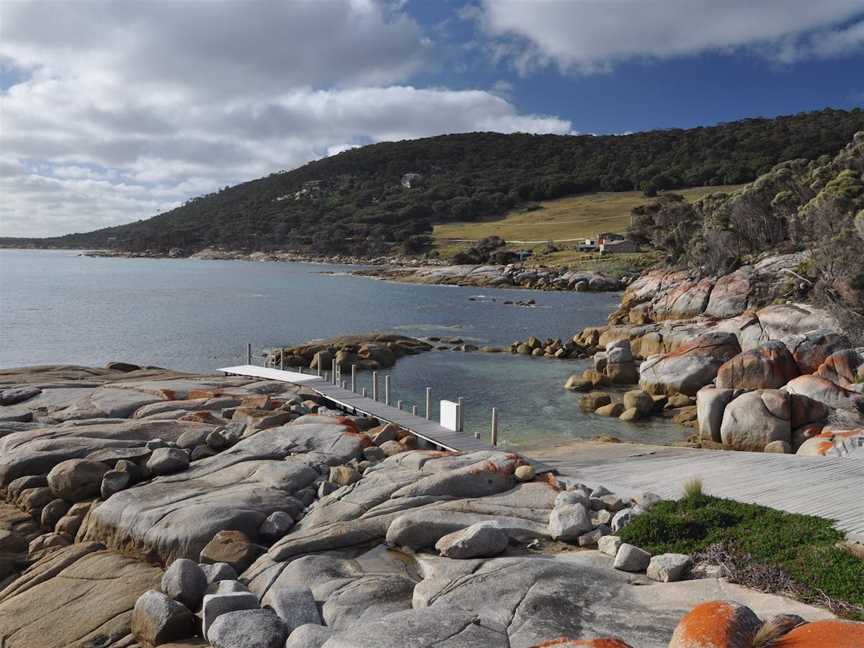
x=716, y=624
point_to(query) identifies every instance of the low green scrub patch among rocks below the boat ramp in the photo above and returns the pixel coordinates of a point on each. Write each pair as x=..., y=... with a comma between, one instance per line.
x=761, y=548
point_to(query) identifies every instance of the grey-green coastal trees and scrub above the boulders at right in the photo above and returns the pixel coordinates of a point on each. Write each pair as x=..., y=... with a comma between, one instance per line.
x=812, y=206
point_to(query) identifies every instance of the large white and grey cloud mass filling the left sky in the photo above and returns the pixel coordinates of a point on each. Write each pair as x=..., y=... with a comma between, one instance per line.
x=119, y=110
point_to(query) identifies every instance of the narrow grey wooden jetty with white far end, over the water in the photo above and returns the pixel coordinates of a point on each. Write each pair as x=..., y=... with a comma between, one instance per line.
x=350, y=401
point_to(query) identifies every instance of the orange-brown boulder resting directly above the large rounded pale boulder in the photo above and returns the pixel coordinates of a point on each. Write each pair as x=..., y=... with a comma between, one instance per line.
x=768, y=366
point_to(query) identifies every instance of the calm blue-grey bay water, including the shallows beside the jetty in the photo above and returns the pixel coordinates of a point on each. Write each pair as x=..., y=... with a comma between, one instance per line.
x=58, y=307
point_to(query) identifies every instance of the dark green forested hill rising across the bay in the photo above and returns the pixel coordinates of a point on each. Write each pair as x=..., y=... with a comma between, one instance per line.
x=355, y=202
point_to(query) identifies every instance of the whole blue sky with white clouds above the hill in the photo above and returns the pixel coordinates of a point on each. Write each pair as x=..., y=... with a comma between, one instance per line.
x=115, y=110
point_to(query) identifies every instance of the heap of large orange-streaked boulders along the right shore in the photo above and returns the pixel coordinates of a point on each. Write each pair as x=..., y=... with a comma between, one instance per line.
x=764, y=376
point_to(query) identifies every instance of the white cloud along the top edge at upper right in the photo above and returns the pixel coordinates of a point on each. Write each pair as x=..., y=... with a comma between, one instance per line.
x=591, y=36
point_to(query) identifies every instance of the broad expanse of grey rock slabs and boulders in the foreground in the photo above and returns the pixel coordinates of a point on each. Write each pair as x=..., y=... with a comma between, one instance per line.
x=145, y=507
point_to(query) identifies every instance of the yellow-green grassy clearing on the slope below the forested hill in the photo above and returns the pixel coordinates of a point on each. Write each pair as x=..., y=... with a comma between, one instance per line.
x=580, y=216
